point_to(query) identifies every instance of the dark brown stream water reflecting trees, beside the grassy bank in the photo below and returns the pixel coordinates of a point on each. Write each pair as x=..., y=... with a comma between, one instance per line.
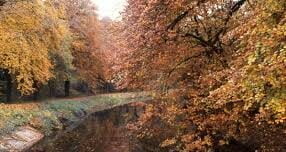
x=102, y=131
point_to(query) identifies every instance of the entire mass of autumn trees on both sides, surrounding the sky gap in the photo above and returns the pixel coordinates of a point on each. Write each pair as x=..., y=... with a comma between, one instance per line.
x=216, y=68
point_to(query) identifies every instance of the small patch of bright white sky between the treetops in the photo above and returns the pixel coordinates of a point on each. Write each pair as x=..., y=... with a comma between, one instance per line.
x=110, y=8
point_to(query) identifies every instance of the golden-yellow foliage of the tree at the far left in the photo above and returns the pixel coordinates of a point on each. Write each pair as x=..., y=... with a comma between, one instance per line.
x=29, y=30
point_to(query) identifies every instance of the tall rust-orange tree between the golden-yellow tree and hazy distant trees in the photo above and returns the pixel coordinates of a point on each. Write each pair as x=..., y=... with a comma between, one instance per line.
x=85, y=46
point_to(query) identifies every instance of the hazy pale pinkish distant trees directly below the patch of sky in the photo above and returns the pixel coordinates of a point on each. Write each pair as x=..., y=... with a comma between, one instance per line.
x=114, y=52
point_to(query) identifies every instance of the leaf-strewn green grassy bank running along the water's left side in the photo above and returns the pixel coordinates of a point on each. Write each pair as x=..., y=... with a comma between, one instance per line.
x=46, y=115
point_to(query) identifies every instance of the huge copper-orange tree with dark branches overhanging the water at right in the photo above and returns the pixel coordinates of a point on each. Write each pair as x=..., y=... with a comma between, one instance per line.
x=194, y=54
